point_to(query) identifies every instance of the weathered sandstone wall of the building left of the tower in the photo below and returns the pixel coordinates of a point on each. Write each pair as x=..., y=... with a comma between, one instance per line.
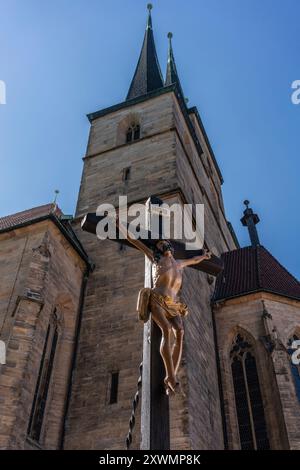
x=56, y=282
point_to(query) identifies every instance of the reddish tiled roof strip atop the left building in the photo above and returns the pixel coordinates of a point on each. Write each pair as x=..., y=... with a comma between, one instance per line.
x=29, y=215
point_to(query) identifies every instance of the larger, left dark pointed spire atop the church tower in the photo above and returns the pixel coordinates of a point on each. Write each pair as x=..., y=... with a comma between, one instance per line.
x=147, y=76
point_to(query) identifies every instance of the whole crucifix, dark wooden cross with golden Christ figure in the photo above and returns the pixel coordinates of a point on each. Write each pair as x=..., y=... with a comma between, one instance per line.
x=159, y=296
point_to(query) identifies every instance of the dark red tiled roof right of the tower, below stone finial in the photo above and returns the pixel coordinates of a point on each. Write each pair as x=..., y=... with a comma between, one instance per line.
x=254, y=269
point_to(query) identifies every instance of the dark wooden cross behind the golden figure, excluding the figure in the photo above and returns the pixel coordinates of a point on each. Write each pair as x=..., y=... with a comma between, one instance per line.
x=155, y=427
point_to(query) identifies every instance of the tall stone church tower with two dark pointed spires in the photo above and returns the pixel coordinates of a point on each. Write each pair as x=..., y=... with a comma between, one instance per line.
x=151, y=143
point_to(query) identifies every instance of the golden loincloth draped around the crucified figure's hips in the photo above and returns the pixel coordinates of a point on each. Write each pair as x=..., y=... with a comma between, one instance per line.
x=172, y=307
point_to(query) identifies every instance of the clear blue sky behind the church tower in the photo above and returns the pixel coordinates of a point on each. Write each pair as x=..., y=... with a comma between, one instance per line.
x=62, y=59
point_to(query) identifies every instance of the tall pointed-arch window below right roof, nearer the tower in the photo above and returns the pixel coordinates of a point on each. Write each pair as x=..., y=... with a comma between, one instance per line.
x=248, y=399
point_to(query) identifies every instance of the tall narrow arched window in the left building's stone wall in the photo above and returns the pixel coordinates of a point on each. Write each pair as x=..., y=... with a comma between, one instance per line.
x=44, y=379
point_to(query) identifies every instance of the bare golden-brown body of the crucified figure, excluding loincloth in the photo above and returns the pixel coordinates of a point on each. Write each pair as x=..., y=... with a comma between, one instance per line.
x=167, y=280
